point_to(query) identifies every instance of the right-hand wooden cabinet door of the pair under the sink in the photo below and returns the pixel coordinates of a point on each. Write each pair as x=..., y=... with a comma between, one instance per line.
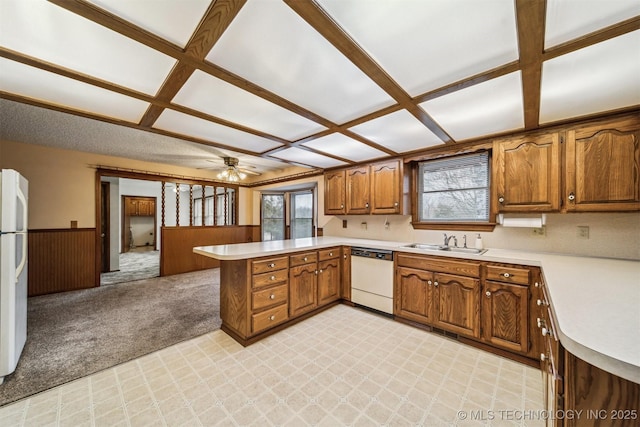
x=457, y=304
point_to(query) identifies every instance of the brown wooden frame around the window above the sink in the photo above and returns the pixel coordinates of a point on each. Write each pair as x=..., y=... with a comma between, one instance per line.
x=416, y=198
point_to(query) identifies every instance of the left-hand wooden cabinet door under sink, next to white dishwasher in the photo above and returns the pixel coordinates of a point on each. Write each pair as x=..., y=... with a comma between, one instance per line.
x=413, y=295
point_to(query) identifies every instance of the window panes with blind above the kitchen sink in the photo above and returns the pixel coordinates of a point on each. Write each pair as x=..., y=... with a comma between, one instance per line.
x=454, y=189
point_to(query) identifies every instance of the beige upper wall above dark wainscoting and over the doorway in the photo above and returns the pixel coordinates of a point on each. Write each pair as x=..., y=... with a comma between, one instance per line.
x=62, y=182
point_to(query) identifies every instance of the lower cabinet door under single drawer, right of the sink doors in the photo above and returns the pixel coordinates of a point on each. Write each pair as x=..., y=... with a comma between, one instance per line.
x=505, y=315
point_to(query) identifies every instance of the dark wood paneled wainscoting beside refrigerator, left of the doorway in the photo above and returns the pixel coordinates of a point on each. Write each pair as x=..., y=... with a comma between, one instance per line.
x=61, y=260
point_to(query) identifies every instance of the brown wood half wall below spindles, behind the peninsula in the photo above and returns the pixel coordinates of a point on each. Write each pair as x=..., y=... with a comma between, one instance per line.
x=176, y=251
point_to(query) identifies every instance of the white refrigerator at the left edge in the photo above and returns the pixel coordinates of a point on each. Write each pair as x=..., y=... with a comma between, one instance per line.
x=14, y=195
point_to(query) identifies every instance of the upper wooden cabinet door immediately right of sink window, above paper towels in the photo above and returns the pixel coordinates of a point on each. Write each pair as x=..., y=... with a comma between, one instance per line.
x=527, y=174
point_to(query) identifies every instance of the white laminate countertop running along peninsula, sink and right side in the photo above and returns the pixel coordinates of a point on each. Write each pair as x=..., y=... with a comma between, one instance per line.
x=596, y=301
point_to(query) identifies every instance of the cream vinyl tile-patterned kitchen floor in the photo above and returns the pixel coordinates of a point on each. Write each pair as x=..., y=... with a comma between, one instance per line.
x=343, y=367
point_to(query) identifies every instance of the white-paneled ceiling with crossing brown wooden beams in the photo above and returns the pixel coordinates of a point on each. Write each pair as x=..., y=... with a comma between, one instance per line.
x=319, y=84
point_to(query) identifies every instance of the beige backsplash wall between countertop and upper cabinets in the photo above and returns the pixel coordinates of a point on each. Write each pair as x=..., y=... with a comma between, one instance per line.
x=613, y=235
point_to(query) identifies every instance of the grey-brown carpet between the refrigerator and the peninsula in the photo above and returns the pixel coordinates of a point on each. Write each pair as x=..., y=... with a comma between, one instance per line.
x=73, y=334
